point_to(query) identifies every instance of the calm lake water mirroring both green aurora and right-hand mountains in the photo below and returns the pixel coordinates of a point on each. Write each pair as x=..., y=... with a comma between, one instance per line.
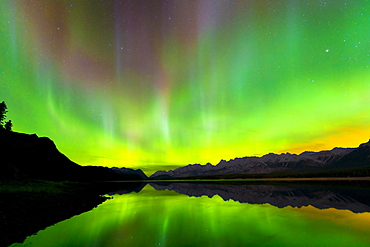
x=184, y=214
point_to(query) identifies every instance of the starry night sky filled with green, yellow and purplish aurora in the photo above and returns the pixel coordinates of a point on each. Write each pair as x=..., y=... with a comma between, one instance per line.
x=158, y=84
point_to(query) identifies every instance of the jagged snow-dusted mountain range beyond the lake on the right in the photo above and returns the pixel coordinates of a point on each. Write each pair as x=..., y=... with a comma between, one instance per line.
x=337, y=159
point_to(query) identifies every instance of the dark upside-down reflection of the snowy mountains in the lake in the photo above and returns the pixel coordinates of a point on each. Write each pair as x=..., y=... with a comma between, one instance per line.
x=353, y=197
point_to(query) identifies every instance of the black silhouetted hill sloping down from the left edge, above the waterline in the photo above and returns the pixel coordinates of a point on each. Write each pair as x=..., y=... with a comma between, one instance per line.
x=24, y=156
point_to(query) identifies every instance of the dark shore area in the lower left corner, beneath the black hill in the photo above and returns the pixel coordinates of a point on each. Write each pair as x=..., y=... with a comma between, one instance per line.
x=29, y=206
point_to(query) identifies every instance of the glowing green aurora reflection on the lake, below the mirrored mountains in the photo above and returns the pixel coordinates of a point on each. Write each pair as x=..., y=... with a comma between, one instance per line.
x=166, y=218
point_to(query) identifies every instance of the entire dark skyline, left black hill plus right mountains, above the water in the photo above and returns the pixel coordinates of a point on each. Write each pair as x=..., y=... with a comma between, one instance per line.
x=24, y=156
